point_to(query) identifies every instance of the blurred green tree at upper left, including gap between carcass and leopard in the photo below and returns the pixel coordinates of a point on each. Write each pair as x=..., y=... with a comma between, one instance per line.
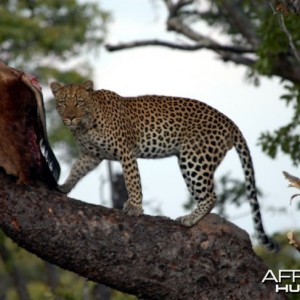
x=52, y=39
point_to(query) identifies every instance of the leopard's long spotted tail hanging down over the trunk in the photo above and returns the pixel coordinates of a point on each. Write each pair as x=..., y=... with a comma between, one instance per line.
x=243, y=151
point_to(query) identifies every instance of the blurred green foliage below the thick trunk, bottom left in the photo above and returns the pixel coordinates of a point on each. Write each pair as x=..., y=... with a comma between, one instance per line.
x=33, y=272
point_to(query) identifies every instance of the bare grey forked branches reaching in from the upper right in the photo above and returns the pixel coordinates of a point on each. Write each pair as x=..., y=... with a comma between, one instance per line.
x=284, y=67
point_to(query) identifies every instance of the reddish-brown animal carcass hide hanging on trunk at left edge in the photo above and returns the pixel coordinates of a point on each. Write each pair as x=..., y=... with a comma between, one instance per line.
x=24, y=148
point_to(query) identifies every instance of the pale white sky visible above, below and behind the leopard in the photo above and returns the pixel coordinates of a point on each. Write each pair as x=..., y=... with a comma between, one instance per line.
x=201, y=76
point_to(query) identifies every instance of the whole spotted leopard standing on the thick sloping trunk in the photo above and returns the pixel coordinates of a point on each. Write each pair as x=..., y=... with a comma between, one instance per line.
x=107, y=126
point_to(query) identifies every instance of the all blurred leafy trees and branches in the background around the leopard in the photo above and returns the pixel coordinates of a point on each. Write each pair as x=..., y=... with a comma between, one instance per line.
x=41, y=37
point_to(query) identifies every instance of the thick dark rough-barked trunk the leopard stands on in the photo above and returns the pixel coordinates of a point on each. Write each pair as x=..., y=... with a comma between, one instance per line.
x=151, y=257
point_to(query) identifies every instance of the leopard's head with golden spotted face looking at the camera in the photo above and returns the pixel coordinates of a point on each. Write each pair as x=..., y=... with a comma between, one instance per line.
x=72, y=102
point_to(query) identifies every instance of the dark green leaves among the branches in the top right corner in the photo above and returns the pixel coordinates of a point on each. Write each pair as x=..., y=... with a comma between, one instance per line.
x=272, y=41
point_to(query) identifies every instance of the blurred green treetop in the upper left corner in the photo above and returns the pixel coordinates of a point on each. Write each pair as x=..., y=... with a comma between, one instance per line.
x=40, y=35
